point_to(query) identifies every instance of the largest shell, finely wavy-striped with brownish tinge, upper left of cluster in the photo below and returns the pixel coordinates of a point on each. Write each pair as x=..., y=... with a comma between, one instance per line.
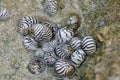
x=41, y=33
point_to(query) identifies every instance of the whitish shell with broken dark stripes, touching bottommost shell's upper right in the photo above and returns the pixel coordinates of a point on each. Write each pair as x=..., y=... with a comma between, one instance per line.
x=78, y=57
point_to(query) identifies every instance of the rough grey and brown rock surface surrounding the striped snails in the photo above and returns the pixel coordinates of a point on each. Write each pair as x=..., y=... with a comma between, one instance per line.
x=103, y=65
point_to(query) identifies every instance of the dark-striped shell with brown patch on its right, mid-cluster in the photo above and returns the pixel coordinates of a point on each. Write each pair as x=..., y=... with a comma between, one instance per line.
x=64, y=51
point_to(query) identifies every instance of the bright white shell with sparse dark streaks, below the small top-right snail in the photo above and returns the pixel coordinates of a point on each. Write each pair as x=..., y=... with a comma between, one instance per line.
x=64, y=35
